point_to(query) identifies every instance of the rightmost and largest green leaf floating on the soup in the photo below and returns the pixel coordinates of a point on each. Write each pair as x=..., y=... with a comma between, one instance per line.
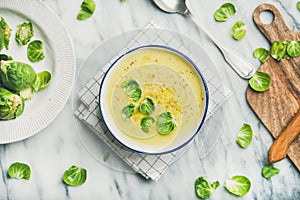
x=165, y=123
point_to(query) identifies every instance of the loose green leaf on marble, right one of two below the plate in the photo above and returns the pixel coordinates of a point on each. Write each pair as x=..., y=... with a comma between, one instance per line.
x=75, y=176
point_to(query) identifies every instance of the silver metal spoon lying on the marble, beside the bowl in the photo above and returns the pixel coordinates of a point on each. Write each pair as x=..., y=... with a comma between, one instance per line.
x=239, y=64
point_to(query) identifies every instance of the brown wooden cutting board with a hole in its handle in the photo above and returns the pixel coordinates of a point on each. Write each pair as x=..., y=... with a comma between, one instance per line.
x=277, y=106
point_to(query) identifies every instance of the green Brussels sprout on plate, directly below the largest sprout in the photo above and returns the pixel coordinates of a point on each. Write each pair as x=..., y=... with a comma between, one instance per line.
x=11, y=105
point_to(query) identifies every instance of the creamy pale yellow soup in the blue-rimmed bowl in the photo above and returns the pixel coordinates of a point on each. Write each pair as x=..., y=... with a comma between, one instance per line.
x=166, y=78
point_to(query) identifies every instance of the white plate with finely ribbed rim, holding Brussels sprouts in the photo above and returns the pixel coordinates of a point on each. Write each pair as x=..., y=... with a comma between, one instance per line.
x=45, y=105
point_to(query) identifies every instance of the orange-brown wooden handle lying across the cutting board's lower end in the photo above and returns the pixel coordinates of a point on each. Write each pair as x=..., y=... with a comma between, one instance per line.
x=279, y=148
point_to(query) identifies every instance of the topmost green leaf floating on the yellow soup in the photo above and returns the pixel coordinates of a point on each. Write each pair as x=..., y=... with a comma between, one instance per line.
x=132, y=88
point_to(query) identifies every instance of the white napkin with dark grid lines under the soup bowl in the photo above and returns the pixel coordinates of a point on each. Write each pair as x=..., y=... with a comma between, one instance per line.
x=149, y=166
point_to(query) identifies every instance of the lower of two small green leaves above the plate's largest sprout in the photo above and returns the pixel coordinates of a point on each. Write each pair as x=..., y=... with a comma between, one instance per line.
x=35, y=51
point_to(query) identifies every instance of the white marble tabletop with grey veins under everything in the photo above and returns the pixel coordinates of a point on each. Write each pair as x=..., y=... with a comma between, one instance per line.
x=57, y=147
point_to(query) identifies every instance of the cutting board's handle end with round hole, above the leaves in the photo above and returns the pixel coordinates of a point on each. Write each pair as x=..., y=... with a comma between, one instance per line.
x=277, y=30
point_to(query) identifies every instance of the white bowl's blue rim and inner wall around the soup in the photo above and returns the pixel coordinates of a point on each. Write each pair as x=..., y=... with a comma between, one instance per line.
x=126, y=140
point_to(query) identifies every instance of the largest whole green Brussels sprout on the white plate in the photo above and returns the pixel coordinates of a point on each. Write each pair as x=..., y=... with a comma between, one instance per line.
x=16, y=76
